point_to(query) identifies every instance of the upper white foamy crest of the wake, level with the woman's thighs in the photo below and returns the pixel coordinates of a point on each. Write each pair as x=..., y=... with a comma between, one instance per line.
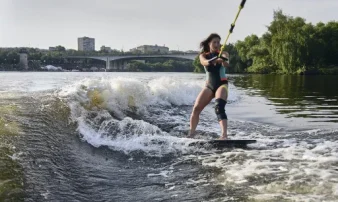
x=119, y=92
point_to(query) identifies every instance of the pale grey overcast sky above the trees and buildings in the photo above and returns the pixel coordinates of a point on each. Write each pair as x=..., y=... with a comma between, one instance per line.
x=125, y=24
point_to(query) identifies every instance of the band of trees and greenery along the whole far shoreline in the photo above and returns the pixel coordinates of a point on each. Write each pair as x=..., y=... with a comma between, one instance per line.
x=289, y=46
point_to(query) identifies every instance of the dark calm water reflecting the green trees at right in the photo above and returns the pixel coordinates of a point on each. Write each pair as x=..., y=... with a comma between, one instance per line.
x=312, y=97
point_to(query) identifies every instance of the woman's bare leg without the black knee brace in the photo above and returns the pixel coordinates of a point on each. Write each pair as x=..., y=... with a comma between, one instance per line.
x=203, y=99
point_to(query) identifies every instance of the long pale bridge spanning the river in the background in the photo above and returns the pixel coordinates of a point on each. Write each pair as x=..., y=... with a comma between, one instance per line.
x=120, y=61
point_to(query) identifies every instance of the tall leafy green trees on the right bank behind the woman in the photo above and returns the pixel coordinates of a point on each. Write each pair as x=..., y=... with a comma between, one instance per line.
x=289, y=46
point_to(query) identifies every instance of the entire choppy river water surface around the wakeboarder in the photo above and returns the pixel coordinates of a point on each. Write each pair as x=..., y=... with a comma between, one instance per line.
x=121, y=137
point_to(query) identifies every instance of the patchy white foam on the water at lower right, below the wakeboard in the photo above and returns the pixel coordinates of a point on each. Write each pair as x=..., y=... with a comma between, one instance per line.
x=298, y=171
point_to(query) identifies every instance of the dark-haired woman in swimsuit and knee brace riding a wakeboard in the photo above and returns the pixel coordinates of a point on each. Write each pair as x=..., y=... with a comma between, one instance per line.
x=216, y=84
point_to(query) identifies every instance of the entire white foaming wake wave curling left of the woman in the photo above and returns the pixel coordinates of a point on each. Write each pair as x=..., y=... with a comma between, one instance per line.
x=117, y=96
